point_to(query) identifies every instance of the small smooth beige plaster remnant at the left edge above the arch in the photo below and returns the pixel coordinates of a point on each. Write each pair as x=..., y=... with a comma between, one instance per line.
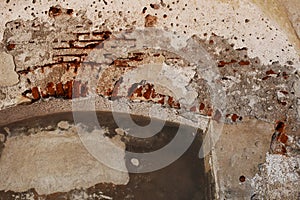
x=7, y=70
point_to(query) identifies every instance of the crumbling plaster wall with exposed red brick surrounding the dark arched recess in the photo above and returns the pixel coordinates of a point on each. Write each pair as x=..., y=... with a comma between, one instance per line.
x=251, y=48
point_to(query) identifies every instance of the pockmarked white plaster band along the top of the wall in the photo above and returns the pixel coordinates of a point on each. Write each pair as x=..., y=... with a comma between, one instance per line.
x=263, y=37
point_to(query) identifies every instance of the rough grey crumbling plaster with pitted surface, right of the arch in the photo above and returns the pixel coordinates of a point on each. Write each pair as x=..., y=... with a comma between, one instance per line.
x=263, y=91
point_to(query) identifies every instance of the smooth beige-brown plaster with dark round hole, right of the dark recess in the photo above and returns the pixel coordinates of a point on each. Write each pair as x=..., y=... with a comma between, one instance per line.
x=239, y=151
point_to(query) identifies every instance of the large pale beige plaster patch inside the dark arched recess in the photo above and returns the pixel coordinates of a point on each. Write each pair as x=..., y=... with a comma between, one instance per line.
x=54, y=161
